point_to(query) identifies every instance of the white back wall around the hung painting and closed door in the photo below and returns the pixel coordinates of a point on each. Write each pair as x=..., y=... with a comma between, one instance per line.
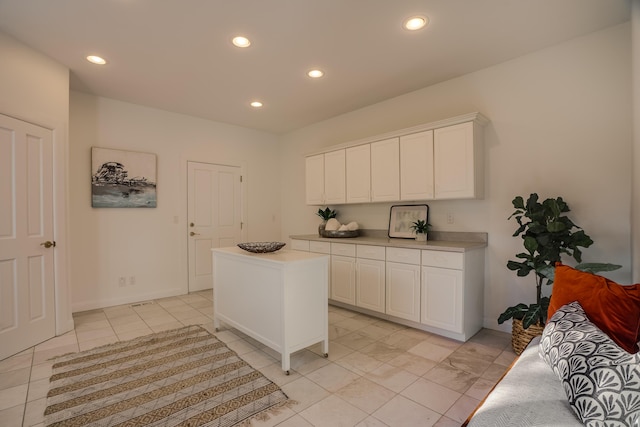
x=146, y=243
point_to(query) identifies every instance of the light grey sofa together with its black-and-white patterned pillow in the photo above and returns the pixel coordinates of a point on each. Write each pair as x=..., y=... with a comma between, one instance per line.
x=572, y=375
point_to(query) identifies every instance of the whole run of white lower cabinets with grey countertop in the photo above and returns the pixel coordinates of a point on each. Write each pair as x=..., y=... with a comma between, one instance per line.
x=434, y=290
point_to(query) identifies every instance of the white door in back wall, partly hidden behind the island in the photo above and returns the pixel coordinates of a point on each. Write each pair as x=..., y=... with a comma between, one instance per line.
x=214, y=217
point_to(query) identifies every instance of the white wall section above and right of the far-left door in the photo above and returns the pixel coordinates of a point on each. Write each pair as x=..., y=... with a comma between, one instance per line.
x=35, y=88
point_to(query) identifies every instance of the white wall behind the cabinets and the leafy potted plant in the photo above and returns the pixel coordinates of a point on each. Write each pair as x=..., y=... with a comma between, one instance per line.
x=561, y=125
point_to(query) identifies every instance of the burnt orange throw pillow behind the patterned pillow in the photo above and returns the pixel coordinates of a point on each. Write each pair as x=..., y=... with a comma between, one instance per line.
x=613, y=308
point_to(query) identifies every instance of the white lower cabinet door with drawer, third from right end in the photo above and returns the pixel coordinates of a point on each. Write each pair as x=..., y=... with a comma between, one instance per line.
x=370, y=277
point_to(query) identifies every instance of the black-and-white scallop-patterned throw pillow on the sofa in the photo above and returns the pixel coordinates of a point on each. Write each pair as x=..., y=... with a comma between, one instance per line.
x=600, y=379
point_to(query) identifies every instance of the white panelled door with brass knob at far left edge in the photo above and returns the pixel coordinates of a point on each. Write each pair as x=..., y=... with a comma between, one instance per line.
x=27, y=305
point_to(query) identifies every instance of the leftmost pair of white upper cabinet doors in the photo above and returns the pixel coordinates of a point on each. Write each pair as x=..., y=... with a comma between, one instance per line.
x=325, y=178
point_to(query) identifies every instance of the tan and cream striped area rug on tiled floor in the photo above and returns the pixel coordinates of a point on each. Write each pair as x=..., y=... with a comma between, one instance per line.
x=184, y=377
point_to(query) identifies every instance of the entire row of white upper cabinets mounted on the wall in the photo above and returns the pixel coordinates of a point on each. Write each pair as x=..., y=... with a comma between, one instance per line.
x=440, y=160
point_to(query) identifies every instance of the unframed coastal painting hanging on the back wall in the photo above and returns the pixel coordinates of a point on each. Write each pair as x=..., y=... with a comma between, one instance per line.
x=122, y=179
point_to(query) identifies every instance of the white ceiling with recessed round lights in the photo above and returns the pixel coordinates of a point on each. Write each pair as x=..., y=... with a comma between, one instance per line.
x=176, y=55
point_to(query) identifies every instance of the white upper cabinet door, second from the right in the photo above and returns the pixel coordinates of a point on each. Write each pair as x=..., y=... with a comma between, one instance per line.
x=416, y=166
